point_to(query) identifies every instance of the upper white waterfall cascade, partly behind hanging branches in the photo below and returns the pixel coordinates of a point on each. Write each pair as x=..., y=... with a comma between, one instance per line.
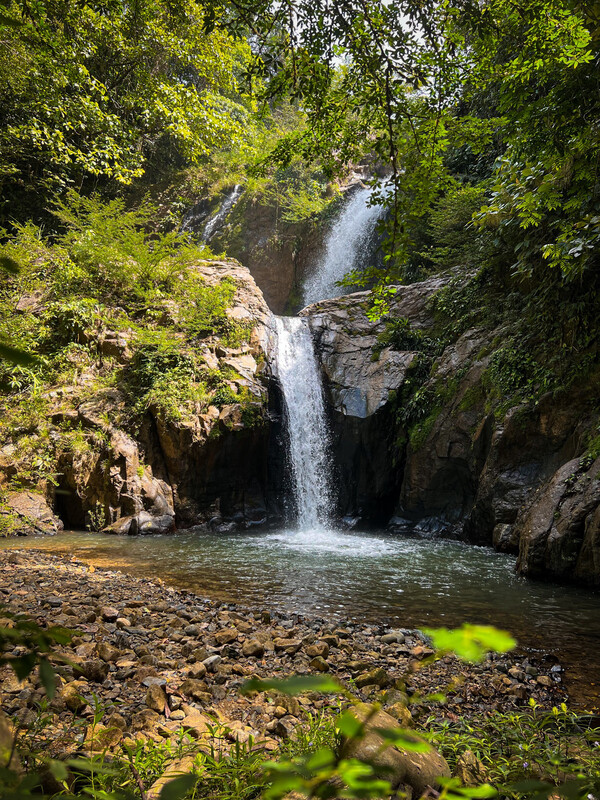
x=346, y=247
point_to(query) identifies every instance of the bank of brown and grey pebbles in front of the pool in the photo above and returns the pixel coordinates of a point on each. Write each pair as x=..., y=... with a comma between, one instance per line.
x=160, y=660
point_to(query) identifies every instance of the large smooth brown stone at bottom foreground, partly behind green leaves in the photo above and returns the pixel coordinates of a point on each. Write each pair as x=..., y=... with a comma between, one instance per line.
x=418, y=770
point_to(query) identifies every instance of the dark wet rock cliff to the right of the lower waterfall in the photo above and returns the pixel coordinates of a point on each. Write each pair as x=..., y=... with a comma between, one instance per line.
x=441, y=458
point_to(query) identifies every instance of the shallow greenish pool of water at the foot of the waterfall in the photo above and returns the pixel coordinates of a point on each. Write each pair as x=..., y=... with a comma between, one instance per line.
x=371, y=577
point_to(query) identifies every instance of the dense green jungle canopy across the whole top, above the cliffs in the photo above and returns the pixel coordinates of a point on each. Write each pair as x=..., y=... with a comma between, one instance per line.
x=482, y=117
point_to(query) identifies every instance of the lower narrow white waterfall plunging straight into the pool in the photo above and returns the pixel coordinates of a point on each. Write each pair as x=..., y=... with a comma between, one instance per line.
x=307, y=428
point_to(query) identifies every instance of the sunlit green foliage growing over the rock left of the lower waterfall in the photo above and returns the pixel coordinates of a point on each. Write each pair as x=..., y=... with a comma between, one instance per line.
x=110, y=274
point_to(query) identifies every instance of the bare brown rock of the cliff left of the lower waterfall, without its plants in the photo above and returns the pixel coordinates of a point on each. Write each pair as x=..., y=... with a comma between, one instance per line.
x=201, y=463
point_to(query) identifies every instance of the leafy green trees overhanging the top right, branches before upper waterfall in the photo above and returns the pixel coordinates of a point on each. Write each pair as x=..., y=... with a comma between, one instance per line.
x=417, y=81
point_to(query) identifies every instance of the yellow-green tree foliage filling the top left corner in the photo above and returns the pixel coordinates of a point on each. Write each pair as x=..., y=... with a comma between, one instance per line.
x=91, y=93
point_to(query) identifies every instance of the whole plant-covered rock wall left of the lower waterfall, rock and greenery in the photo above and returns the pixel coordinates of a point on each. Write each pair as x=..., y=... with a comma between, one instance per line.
x=141, y=403
